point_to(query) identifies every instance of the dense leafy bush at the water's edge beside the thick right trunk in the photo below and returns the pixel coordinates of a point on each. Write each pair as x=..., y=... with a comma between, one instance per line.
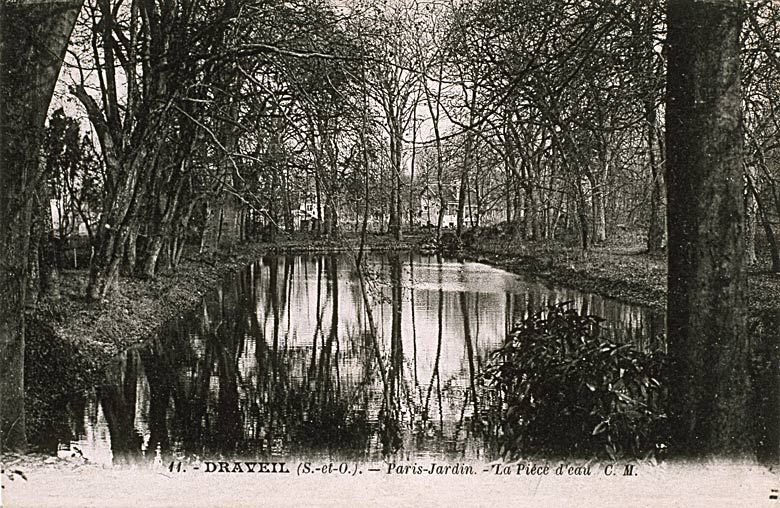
x=567, y=391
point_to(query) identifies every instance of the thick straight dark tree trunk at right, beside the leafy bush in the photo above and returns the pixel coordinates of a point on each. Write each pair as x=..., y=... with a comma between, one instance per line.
x=708, y=340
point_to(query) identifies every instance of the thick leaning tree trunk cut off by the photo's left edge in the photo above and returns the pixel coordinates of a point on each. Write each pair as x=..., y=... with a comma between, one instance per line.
x=34, y=39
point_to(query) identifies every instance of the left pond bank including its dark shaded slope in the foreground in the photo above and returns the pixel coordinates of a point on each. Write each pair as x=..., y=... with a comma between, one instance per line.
x=70, y=341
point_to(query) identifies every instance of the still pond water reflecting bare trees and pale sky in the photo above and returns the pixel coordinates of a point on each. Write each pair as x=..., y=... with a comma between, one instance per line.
x=281, y=361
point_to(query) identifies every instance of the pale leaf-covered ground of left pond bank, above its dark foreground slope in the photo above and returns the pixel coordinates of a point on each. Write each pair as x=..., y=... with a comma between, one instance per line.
x=141, y=306
